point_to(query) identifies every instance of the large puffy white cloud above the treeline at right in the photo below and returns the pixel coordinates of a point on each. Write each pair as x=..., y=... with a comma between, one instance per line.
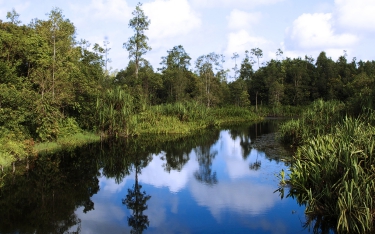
x=315, y=31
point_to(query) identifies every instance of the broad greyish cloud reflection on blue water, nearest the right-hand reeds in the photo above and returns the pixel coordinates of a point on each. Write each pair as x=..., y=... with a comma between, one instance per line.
x=240, y=196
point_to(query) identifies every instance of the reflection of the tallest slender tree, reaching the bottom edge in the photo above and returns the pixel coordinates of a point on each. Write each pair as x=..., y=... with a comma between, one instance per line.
x=136, y=200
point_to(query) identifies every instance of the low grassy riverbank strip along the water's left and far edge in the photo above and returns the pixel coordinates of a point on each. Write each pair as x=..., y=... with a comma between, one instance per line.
x=156, y=122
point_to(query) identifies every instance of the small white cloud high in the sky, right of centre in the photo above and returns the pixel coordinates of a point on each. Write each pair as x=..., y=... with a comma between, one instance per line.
x=242, y=20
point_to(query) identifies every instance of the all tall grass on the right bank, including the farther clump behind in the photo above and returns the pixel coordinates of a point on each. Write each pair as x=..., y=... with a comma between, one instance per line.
x=333, y=170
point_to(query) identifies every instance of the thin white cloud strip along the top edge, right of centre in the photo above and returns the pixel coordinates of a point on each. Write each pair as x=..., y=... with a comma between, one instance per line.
x=234, y=3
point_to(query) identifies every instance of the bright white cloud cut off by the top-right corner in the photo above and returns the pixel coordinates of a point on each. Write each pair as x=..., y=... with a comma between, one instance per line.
x=356, y=14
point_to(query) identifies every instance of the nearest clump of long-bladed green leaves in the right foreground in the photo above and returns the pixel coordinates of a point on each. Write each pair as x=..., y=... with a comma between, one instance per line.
x=334, y=174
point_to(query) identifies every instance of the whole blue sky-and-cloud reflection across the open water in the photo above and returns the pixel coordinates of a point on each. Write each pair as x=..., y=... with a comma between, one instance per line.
x=241, y=199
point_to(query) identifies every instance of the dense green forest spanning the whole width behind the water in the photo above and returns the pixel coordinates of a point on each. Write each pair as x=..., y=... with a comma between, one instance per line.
x=53, y=85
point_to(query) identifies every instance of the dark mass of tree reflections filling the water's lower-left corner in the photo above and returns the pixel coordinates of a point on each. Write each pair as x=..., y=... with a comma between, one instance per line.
x=45, y=198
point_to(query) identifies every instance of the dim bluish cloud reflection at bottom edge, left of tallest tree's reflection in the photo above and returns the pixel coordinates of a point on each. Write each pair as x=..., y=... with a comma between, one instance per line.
x=106, y=218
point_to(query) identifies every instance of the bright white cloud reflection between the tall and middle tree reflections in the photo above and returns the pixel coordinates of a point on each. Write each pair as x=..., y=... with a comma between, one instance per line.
x=154, y=174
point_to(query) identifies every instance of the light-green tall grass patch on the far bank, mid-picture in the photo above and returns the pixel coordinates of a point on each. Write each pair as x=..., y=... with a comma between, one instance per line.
x=188, y=117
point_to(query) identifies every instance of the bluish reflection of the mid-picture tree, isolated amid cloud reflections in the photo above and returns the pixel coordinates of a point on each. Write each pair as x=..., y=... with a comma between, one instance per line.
x=205, y=158
